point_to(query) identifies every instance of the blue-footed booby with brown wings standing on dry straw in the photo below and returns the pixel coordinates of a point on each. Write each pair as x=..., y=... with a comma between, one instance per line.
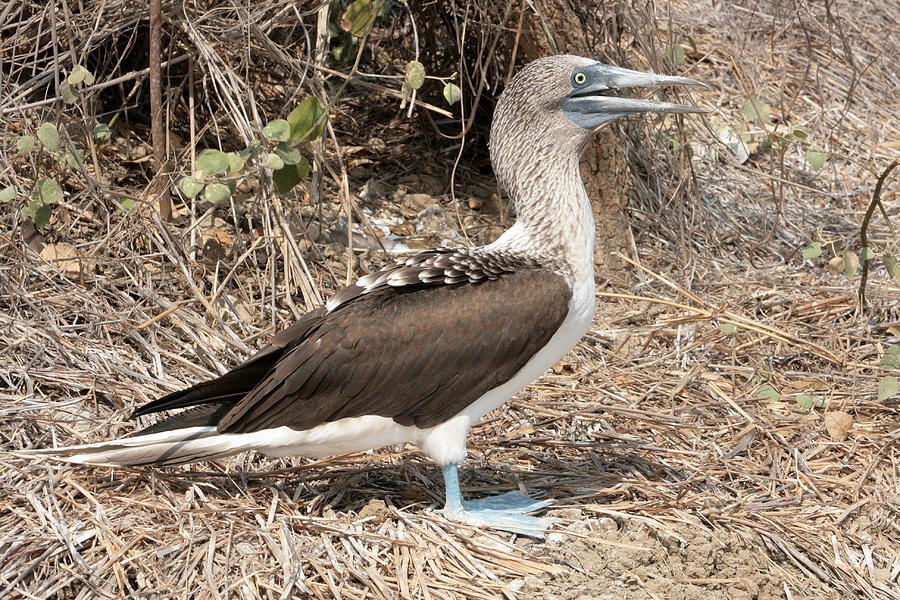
x=419, y=351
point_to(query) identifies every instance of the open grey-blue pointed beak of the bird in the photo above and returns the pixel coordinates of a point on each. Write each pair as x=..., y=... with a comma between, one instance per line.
x=590, y=105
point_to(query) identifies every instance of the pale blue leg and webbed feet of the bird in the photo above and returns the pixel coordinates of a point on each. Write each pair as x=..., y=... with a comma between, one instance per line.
x=506, y=511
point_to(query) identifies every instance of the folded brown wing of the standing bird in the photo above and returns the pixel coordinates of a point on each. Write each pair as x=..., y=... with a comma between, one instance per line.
x=417, y=354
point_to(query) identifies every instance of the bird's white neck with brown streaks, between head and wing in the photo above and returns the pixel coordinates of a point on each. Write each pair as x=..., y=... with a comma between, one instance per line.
x=554, y=220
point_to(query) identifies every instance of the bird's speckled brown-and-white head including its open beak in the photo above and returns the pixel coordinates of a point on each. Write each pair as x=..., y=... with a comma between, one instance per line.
x=554, y=104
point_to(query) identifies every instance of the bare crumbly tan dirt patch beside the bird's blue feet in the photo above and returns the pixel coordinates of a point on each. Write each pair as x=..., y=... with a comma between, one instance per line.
x=638, y=558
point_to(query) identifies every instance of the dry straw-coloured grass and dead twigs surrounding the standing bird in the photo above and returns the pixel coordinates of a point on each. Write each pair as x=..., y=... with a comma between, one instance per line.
x=673, y=477
